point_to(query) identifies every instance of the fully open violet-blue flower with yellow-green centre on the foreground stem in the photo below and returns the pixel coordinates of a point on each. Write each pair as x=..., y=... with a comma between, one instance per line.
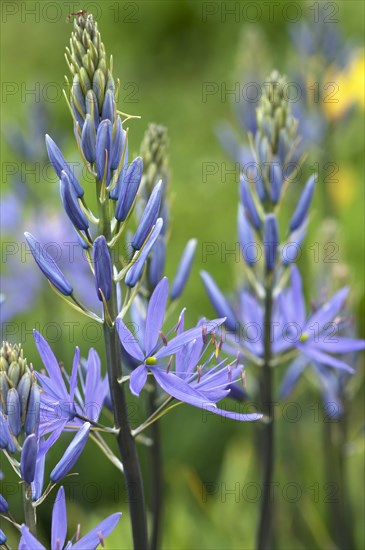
x=156, y=353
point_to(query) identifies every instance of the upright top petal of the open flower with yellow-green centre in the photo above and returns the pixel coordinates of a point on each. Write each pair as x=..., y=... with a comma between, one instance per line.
x=155, y=315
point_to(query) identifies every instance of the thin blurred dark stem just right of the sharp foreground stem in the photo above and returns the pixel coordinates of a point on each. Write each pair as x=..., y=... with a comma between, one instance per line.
x=157, y=478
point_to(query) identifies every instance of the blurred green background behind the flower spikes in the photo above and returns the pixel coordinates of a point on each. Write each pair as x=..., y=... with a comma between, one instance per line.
x=163, y=53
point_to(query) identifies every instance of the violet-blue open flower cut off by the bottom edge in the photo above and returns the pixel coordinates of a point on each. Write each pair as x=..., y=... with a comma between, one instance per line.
x=59, y=531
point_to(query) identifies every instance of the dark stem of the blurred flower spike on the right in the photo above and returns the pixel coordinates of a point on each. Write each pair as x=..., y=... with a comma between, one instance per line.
x=267, y=433
